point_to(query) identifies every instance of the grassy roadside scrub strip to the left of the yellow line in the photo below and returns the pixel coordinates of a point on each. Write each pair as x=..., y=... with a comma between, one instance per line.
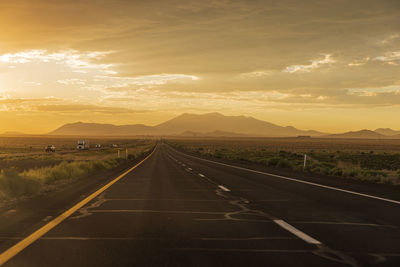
x=23, y=176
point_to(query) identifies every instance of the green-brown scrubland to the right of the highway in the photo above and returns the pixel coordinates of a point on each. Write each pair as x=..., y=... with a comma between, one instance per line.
x=380, y=166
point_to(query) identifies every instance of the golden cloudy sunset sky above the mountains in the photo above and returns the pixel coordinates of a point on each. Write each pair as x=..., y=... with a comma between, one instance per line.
x=331, y=66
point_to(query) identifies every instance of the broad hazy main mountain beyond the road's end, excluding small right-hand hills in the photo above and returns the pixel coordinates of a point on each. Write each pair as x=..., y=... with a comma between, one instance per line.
x=201, y=124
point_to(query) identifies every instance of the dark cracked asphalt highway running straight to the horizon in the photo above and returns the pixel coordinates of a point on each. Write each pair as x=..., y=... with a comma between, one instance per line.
x=178, y=210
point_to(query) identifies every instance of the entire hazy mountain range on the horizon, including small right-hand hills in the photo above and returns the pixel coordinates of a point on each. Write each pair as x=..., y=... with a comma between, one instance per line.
x=212, y=124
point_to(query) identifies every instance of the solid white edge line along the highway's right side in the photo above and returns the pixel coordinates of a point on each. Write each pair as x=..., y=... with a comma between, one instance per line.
x=301, y=181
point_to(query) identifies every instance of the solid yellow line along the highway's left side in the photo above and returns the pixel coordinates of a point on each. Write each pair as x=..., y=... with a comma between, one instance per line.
x=14, y=250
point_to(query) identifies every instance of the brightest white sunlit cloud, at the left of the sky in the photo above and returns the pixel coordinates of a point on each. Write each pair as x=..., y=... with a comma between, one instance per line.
x=69, y=73
